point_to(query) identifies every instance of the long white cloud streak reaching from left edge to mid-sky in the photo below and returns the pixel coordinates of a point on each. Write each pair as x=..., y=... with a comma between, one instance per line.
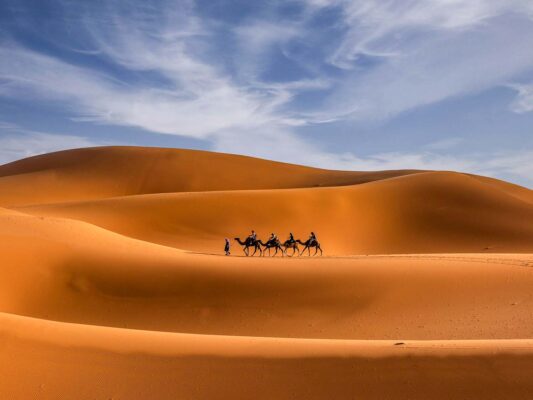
x=100, y=99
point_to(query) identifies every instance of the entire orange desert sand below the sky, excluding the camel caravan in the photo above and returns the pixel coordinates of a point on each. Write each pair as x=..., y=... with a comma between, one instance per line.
x=113, y=282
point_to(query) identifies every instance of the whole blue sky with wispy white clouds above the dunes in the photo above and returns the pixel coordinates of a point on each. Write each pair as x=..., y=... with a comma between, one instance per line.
x=354, y=85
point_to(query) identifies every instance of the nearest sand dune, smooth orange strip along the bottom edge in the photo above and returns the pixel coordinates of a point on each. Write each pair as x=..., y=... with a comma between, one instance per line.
x=127, y=364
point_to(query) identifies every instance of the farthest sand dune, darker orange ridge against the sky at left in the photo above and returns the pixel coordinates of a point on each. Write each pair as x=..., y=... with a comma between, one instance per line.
x=102, y=172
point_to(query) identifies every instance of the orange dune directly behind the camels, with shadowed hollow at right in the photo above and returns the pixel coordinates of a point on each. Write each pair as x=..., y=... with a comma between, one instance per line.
x=419, y=213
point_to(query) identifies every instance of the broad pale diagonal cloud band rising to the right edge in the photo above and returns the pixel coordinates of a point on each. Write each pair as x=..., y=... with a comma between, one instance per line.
x=435, y=68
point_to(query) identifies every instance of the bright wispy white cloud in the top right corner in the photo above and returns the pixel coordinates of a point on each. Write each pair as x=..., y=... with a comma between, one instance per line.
x=377, y=27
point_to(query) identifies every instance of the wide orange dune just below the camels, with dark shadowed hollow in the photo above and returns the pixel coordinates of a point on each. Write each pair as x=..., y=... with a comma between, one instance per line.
x=72, y=271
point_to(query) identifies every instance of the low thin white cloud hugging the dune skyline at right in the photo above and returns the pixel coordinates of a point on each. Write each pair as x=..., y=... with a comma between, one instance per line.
x=280, y=144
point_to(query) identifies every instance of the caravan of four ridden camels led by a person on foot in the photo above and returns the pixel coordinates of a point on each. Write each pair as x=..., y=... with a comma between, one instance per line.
x=273, y=243
